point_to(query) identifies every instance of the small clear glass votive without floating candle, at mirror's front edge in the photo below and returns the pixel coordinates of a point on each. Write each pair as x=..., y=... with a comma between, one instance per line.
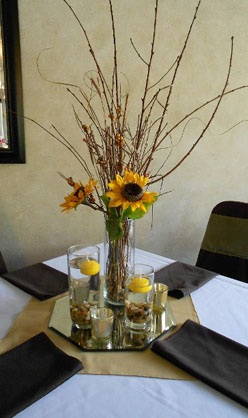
x=102, y=324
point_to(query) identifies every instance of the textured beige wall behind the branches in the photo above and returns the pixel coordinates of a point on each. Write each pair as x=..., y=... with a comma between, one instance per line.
x=32, y=226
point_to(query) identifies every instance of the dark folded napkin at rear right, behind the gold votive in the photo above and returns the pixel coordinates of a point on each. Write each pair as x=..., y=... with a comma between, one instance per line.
x=182, y=279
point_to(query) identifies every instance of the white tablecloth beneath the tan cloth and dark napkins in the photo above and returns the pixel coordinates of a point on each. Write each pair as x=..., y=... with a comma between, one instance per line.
x=221, y=305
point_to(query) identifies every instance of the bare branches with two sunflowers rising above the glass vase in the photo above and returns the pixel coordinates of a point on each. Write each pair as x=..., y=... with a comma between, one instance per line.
x=121, y=156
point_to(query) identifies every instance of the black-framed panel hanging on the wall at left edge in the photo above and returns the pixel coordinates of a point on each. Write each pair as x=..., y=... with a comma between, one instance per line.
x=12, y=146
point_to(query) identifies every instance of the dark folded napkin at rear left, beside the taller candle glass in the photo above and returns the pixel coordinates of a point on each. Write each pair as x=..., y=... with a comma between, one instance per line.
x=39, y=280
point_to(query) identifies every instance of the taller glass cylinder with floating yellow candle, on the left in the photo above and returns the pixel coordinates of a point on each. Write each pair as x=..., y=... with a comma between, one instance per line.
x=84, y=283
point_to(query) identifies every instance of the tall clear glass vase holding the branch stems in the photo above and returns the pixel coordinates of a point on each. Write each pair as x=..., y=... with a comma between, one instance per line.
x=119, y=260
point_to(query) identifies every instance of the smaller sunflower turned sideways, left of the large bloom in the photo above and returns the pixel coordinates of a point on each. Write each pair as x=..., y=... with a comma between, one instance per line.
x=78, y=195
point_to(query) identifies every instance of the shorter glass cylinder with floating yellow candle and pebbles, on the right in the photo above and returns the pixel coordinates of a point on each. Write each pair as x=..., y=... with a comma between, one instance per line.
x=139, y=297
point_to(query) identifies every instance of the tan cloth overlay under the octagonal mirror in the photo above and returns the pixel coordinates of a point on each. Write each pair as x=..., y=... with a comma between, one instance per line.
x=36, y=316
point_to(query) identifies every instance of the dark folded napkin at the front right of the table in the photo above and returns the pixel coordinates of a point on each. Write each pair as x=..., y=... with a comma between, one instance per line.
x=216, y=360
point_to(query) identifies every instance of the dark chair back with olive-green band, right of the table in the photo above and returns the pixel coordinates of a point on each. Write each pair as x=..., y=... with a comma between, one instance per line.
x=224, y=248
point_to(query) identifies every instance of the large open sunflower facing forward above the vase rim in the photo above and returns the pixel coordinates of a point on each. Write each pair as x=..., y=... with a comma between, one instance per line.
x=128, y=191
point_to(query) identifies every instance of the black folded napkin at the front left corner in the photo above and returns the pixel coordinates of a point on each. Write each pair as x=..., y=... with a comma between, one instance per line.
x=30, y=371
